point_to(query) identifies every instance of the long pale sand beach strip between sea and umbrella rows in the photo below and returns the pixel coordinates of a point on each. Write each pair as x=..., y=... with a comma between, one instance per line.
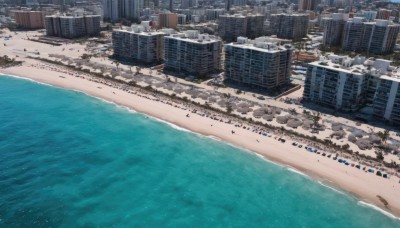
x=364, y=185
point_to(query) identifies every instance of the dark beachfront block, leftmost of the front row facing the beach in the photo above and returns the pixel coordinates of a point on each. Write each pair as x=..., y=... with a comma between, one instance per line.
x=139, y=43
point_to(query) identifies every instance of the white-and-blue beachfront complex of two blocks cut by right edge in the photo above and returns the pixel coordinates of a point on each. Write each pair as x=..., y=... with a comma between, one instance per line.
x=345, y=83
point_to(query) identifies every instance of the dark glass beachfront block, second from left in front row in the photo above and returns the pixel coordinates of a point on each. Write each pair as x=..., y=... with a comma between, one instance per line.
x=192, y=53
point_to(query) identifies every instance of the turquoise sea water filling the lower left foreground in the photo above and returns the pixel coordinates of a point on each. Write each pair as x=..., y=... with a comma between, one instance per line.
x=69, y=160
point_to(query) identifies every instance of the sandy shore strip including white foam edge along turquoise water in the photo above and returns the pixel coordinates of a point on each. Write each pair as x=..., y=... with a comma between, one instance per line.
x=303, y=163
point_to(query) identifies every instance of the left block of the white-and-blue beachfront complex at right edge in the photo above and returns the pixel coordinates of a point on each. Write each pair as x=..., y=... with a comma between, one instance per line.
x=336, y=82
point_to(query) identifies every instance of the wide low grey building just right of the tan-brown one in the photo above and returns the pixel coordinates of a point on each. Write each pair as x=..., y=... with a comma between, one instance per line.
x=72, y=27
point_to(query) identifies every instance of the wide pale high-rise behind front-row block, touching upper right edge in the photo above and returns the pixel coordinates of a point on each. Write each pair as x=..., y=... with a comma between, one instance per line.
x=377, y=37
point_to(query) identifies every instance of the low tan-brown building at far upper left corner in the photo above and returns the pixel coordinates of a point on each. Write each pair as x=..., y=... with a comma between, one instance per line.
x=29, y=19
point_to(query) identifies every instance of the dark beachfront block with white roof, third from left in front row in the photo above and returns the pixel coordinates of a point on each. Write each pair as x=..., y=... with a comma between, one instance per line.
x=261, y=63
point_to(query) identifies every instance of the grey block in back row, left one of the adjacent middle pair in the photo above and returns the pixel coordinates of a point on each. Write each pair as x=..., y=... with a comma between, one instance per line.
x=232, y=26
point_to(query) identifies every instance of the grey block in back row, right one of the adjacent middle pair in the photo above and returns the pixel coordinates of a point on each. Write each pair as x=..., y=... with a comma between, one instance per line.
x=289, y=26
